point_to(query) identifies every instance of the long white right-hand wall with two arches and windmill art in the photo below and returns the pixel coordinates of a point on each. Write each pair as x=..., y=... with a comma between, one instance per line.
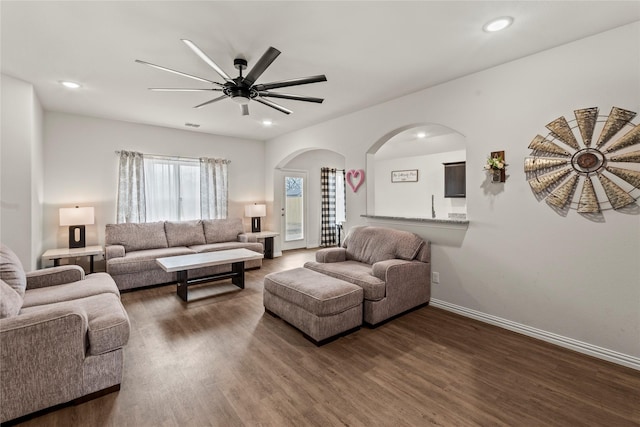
x=518, y=260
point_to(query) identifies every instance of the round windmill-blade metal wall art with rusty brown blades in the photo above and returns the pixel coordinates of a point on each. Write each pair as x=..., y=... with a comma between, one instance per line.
x=589, y=177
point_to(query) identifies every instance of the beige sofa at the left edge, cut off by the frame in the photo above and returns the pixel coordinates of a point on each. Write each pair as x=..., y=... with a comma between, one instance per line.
x=61, y=336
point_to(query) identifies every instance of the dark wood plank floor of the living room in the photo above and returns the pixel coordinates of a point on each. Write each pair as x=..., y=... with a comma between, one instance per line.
x=222, y=362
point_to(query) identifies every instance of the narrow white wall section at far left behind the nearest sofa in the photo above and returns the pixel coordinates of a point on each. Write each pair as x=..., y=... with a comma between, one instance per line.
x=21, y=170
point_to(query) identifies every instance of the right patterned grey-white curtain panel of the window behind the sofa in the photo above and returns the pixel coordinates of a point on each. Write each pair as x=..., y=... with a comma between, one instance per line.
x=213, y=188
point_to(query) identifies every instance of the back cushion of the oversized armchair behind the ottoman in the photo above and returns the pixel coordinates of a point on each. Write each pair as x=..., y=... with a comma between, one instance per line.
x=372, y=244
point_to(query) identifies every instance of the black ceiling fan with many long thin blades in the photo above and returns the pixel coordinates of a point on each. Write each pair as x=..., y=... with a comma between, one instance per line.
x=243, y=89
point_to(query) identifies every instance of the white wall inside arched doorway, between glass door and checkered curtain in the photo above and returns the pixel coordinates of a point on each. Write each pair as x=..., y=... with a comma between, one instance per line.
x=312, y=162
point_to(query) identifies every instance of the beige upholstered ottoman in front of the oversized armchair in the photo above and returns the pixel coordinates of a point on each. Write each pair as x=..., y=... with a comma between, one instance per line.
x=322, y=307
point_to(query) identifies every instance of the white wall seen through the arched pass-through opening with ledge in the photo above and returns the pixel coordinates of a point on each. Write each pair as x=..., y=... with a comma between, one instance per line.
x=413, y=199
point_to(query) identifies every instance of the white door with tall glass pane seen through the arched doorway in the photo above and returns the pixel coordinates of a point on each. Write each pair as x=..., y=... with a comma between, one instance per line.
x=294, y=210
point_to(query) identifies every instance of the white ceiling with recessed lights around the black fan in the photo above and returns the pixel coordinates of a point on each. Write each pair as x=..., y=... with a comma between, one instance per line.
x=370, y=52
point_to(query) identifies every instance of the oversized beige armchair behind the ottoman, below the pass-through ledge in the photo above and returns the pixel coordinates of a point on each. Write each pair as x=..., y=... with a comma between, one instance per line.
x=391, y=266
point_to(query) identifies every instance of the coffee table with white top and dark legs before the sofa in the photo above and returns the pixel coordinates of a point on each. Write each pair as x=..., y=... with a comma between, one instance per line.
x=183, y=263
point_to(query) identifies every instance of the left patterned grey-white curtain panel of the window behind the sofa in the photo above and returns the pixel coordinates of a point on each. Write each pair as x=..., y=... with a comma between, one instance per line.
x=131, y=196
